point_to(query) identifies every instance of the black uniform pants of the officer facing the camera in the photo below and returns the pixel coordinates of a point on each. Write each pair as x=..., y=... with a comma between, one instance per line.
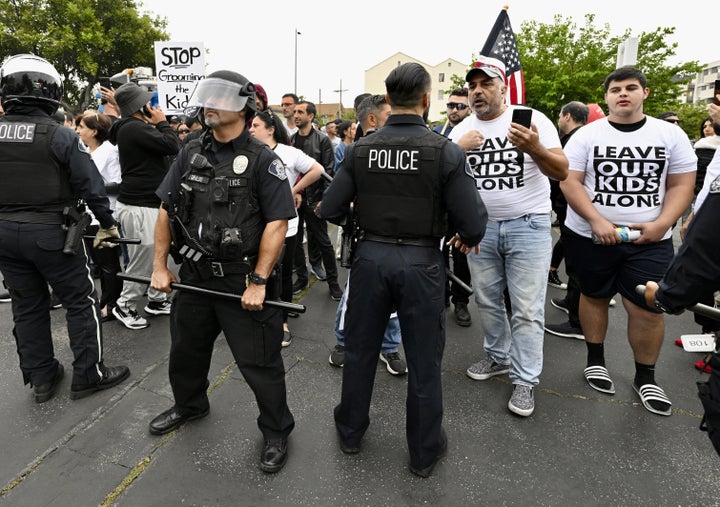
x=255, y=341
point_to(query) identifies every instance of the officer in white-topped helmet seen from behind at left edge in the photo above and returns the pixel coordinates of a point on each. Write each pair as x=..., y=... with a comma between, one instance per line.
x=44, y=171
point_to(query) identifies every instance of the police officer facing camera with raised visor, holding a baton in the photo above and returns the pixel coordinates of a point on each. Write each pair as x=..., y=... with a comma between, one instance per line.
x=228, y=204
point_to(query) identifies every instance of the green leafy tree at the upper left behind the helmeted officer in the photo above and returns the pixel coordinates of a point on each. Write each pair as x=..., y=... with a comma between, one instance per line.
x=83, y=39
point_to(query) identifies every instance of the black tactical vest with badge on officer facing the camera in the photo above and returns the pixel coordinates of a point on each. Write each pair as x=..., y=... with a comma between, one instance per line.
x=224, y=215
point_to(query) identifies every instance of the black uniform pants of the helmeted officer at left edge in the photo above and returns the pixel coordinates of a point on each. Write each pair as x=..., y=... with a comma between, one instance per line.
x=31, y=257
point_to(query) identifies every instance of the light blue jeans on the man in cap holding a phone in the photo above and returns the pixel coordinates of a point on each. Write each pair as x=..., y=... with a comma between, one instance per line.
x=514, y=254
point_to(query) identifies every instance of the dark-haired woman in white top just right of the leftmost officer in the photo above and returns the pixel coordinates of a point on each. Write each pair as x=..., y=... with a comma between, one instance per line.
x=93, y=129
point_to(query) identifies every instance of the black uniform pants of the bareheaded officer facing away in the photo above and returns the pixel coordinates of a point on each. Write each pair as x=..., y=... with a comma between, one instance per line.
x=411, y=279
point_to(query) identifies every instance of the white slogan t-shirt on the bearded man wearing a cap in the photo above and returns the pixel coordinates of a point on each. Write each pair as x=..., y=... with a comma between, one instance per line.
x=508, y=180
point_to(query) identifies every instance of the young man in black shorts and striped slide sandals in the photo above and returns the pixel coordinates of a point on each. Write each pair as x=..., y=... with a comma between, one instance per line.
x=629, y=170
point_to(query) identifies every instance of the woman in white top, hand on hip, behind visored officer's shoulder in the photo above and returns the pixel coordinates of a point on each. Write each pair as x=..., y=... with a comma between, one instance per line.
x=302, y=170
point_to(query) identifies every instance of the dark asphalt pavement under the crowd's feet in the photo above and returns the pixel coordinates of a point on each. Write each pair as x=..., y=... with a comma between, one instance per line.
x=580, y=447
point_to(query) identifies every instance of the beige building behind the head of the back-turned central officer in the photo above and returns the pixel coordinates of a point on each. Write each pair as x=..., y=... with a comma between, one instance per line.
x=441, y=80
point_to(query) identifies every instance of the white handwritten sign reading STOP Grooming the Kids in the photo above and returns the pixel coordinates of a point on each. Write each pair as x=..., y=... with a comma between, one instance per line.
x=180, y=65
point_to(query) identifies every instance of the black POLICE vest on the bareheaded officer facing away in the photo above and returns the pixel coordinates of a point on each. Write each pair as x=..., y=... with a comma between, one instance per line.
x=398, y=182
